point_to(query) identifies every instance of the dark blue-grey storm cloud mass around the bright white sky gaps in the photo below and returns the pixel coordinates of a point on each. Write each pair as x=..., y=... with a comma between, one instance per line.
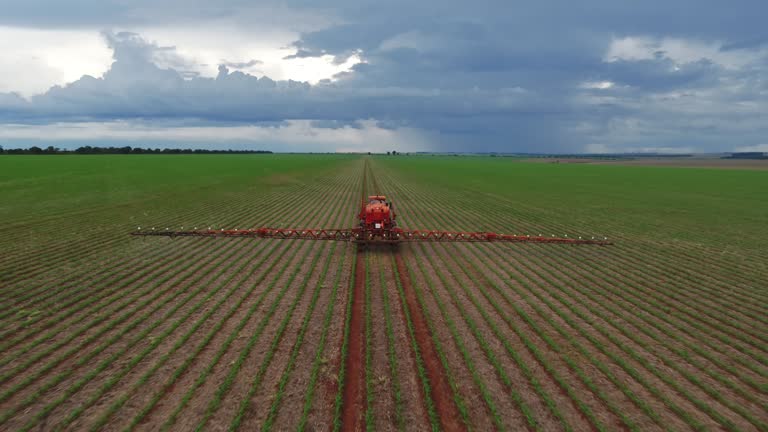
x=490, y=75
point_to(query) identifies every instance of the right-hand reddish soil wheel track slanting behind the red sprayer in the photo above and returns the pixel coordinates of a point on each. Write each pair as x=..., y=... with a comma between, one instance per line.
x=441, y=389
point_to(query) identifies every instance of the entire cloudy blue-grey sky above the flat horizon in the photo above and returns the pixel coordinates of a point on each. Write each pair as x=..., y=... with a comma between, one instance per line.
x=594, y=76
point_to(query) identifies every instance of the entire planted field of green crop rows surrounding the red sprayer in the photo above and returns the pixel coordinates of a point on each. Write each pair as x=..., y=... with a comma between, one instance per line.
x=667, y=329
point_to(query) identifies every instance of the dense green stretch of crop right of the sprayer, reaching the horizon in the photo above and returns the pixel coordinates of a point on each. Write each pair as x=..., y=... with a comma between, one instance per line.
x=711, y=207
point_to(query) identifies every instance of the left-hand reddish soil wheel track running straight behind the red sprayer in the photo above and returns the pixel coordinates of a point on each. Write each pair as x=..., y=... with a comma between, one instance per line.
x=353, y=412
